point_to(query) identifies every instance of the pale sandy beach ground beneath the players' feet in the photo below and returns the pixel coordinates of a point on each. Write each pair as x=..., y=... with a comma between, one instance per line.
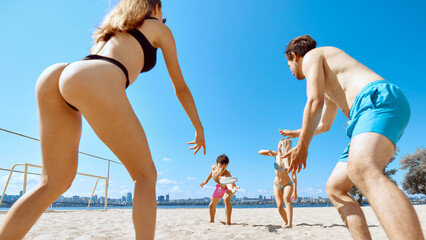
x=259, y=223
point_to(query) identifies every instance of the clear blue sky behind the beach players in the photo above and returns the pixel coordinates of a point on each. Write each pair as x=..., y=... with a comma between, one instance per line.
x=232, y=57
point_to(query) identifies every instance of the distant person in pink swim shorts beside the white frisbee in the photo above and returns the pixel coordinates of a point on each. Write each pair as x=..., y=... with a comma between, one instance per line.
x=222, y=191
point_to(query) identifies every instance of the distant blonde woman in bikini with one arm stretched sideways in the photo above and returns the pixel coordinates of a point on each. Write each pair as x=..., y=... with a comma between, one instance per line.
x=284, y=188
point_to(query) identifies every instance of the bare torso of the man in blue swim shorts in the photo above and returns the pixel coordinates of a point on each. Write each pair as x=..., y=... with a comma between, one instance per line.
x=344, y=76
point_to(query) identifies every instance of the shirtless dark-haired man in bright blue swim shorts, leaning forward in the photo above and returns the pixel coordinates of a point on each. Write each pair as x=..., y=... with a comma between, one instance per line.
x=378, y=113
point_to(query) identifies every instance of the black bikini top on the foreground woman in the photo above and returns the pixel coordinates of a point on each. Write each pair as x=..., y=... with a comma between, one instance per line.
x=149, y=52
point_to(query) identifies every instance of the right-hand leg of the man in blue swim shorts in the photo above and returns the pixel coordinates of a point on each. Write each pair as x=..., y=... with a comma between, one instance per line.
x=369, y=153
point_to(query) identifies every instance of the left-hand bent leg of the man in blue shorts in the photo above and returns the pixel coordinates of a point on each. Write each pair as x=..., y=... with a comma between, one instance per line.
x=338, y=186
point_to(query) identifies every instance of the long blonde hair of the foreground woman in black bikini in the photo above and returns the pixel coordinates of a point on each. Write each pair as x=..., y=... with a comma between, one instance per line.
x=127, y=15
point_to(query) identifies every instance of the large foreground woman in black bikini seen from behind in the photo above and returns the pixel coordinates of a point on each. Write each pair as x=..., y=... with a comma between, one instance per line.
x=95, y=87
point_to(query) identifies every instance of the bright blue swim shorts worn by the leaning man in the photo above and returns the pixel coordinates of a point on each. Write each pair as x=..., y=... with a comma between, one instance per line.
x=379, y=107
